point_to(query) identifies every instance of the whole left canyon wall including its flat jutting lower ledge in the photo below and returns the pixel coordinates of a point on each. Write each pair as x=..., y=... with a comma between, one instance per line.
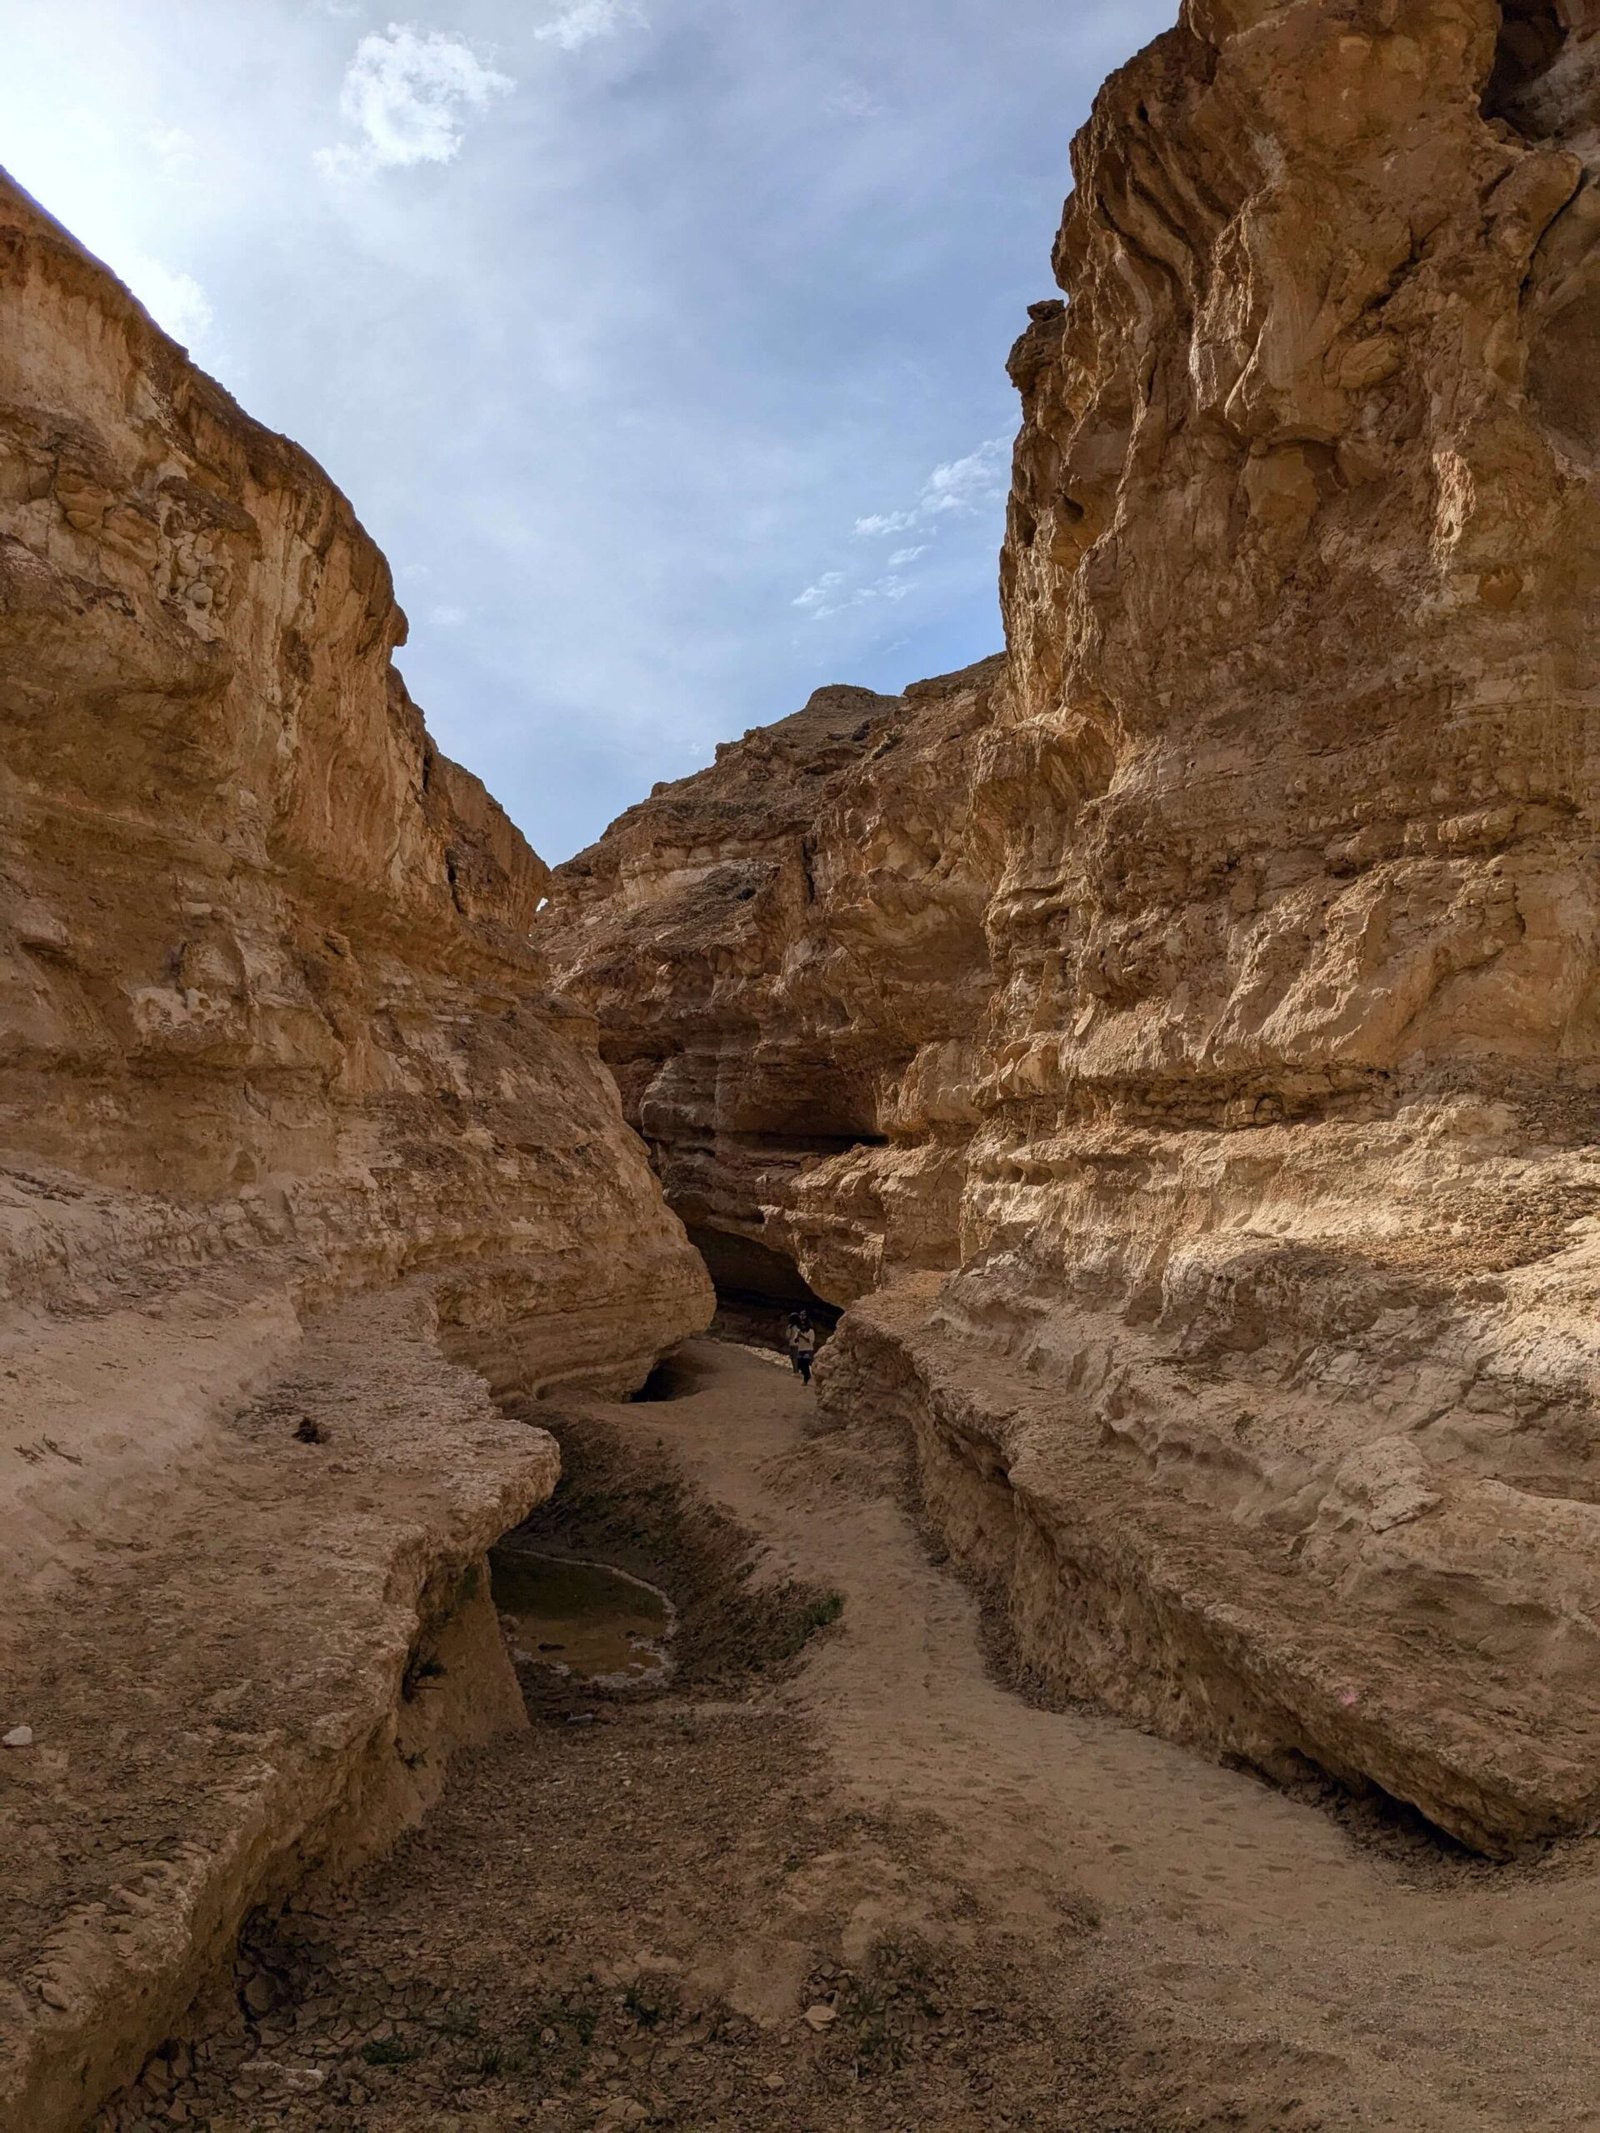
x=289, y=1129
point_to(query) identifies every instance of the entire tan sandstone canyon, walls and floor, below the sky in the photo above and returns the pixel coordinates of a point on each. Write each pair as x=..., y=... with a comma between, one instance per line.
x=1157, y=1673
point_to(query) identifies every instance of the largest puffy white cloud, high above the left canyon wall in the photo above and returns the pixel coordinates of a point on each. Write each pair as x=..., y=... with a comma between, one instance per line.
x=406, y=95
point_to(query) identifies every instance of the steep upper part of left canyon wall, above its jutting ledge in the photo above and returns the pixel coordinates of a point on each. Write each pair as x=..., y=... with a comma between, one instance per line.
x=266, y=950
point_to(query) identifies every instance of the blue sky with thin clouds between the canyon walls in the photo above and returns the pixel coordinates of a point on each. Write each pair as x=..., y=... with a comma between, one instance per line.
x=660, y=344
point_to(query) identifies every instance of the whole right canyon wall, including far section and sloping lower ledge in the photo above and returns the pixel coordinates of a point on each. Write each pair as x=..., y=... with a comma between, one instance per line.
x=1215, y=984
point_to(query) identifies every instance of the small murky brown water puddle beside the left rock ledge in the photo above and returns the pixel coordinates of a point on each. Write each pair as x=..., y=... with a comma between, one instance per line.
x=583, y=1622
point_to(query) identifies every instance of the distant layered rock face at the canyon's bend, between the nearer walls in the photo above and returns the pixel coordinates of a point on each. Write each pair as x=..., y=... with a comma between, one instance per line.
x=782, y=955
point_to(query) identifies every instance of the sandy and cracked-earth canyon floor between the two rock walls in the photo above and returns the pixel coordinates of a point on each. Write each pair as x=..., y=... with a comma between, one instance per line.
x=880, y=1891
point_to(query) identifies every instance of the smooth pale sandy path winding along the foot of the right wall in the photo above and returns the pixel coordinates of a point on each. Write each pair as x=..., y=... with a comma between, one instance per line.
x=1458, y=2006
